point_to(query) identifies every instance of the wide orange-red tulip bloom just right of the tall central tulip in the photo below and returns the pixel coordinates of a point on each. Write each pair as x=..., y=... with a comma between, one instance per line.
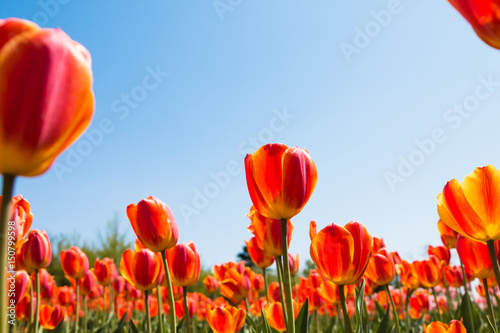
x=342, y=253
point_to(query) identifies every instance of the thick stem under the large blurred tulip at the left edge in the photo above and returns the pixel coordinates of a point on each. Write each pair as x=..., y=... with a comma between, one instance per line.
x=7, y=187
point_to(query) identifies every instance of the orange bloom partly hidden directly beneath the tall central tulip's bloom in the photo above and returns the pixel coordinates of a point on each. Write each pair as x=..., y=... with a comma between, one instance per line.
x=267, y=233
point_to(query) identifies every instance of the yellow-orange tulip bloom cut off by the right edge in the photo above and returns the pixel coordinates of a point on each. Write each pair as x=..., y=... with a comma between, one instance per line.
x=472, y=208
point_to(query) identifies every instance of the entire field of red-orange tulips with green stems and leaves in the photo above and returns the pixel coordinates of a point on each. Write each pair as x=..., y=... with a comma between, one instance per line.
x=353, y=281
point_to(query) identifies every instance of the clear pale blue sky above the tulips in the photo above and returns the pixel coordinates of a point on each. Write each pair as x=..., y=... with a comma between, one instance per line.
x=391, y=99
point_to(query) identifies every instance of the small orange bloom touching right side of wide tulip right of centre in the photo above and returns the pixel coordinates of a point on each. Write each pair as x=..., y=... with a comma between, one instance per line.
x=381, y=269
